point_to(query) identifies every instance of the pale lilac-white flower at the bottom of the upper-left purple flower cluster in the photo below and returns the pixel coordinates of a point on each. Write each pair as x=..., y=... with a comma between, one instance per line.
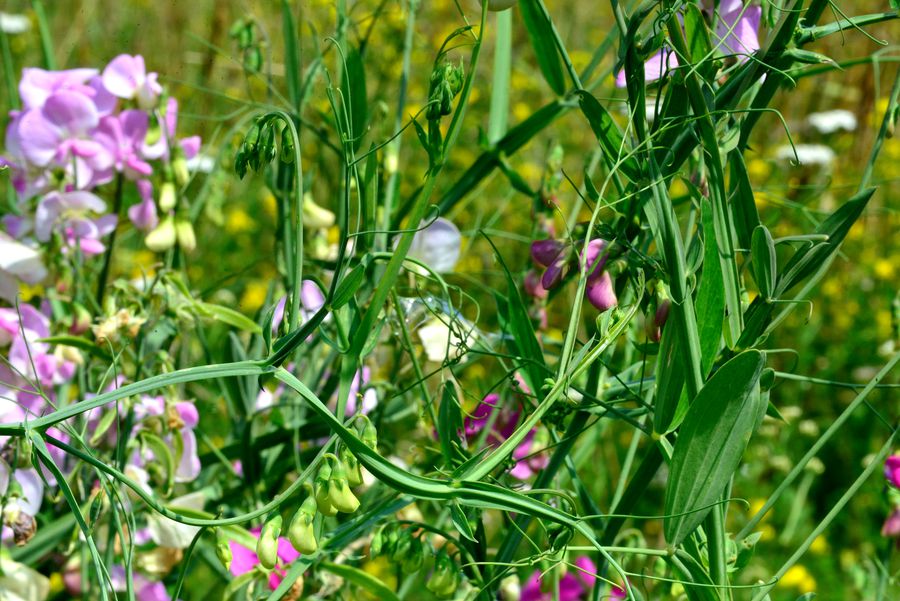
x=69, y=214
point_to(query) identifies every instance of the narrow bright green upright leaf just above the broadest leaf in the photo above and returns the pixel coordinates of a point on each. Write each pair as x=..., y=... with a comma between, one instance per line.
x=710, y=296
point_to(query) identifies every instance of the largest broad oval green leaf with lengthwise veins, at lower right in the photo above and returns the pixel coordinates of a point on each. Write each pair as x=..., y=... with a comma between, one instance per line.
x=711, y=441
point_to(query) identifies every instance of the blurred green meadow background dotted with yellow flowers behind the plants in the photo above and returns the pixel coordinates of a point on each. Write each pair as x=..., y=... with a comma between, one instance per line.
x=844, y=337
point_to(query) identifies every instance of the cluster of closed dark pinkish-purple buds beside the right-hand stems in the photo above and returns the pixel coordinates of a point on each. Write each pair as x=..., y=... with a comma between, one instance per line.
x=558, y=259
